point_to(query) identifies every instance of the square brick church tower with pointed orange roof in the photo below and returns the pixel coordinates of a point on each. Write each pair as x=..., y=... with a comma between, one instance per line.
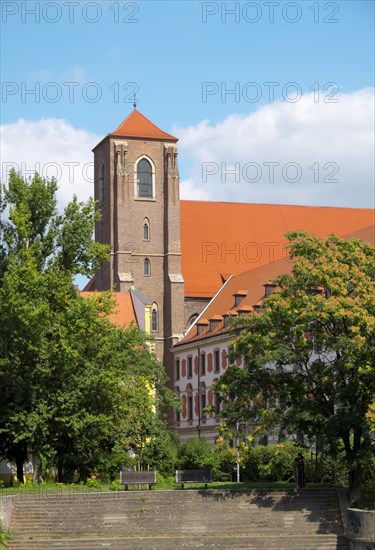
x=137, y=189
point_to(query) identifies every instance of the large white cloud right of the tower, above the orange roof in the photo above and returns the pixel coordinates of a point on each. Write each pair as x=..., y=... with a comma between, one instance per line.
x=328, y=137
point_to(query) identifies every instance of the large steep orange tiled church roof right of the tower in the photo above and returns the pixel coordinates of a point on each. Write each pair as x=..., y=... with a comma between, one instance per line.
x=211, y=246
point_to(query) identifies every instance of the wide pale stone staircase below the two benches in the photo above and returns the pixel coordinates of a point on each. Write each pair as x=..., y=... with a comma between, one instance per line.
x=252, y=519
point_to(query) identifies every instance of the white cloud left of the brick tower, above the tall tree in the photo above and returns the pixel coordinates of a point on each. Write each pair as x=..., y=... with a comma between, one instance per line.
x=53, y=147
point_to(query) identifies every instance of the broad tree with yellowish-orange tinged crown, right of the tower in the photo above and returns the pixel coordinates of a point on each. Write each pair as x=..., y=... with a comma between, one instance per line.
x=309, y=354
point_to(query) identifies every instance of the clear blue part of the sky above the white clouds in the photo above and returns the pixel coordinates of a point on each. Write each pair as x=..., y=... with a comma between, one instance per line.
x=170, y=52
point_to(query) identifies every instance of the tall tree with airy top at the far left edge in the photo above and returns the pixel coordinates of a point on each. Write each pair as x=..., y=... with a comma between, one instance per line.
x=37, y=252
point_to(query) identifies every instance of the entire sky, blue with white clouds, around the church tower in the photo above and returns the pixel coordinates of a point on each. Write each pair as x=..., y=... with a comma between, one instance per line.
x=183, y=58
